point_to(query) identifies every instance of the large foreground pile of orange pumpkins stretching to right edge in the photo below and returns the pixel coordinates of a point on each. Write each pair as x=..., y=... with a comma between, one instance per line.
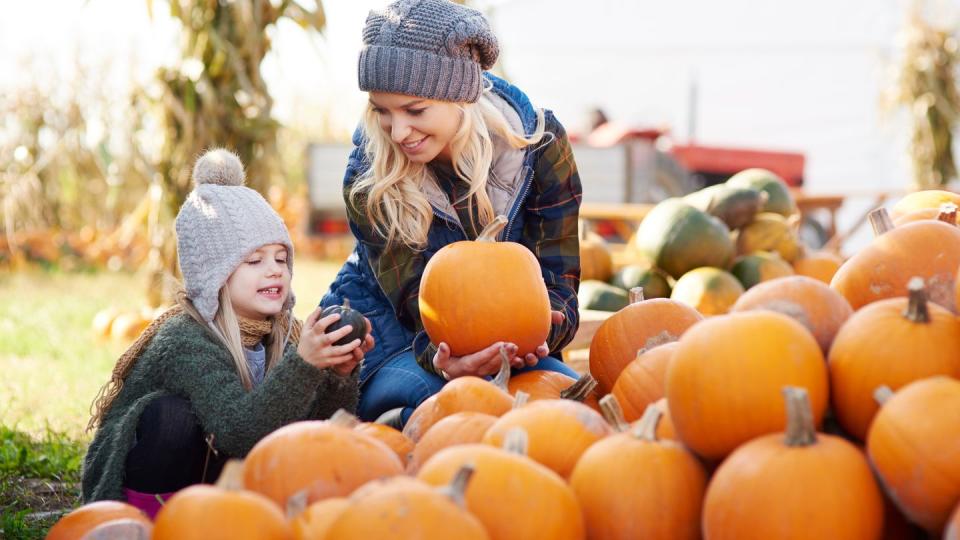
x=808, y=411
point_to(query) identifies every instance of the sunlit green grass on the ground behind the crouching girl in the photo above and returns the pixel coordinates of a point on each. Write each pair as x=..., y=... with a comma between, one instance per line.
x=53, y=364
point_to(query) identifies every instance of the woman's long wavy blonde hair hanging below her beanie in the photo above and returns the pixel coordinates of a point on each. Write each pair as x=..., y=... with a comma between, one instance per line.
x=393, y=185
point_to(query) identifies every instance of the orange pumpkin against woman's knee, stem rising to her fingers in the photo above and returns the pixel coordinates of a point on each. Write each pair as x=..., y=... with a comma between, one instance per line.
x=462, y=394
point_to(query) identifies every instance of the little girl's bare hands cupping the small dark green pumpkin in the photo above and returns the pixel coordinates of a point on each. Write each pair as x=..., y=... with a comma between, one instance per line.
x=317, y=347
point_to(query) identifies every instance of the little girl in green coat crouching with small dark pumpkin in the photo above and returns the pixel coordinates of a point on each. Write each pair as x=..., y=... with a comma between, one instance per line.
x=225, y=367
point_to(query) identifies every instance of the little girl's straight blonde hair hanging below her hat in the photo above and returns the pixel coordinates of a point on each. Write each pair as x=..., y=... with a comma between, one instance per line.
x=227, y=325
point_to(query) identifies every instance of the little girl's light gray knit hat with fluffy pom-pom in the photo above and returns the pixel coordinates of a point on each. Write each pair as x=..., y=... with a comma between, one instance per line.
x=219, y=225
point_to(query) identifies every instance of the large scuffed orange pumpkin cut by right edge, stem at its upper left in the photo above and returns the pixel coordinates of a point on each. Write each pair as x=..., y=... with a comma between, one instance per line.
x=928, y=249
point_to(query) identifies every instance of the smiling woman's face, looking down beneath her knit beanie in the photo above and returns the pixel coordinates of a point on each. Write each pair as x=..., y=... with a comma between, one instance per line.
x=422, y=128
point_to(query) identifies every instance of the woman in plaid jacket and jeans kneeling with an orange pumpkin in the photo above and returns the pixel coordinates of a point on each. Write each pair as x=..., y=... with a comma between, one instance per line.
x=442, y=149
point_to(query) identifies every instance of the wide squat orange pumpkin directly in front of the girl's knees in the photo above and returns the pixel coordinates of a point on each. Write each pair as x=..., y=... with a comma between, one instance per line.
x=323, y=459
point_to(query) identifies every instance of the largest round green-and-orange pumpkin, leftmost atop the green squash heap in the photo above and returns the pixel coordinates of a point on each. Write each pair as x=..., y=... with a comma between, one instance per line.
x=677, y=238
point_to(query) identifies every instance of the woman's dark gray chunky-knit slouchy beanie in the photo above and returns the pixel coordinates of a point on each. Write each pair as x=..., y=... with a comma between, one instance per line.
x=427, y=48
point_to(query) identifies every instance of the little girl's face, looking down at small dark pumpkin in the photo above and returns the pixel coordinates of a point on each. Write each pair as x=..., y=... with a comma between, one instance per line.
x=259, y=287
